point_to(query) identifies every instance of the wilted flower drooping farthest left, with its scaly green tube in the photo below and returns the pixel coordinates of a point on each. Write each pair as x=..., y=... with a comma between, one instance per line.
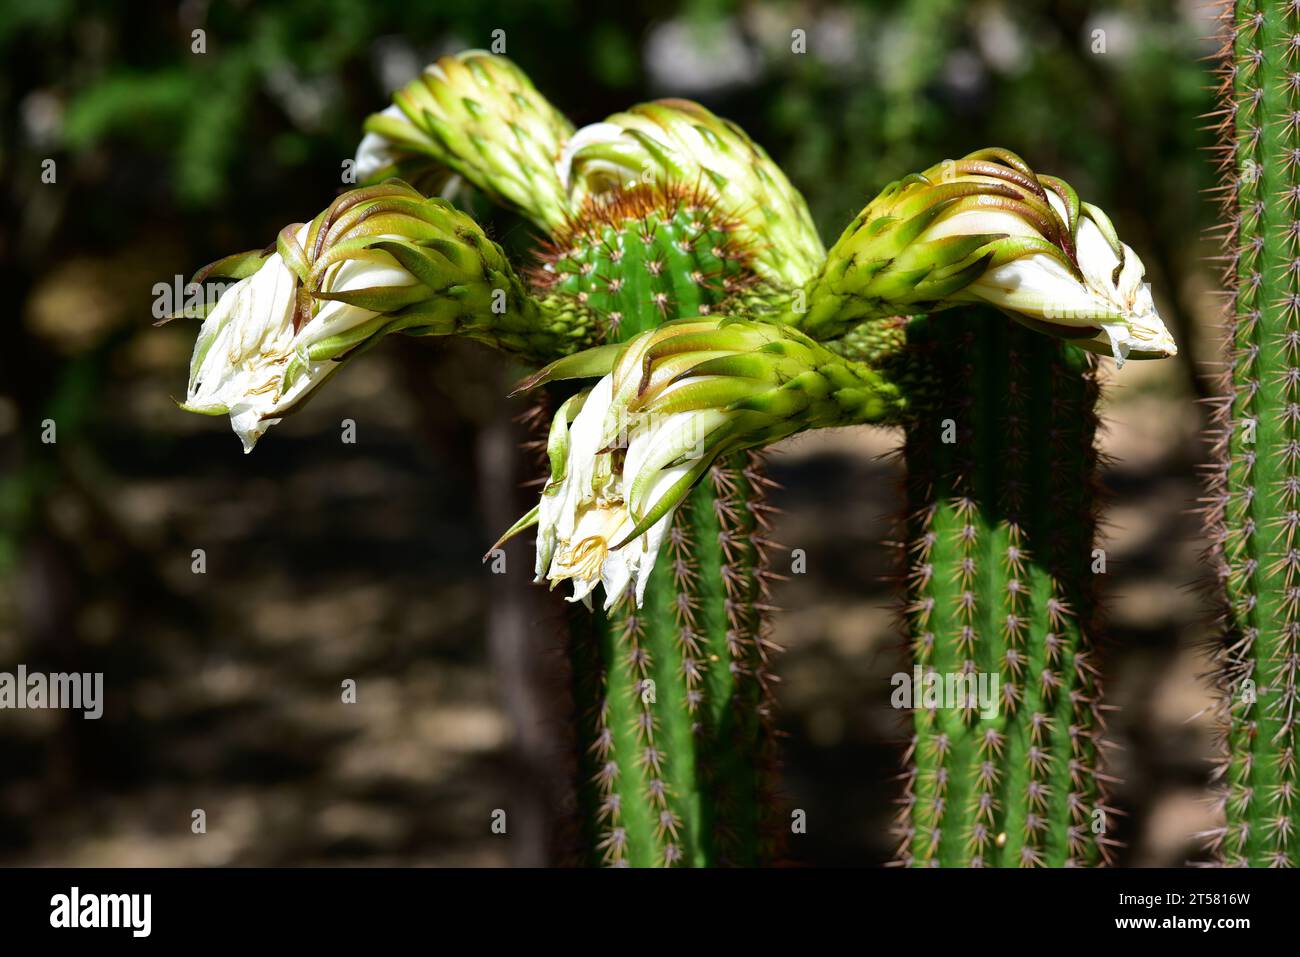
x=378, y=261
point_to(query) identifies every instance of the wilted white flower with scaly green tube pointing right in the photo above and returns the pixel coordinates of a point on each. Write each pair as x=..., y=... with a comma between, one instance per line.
x=987, y=229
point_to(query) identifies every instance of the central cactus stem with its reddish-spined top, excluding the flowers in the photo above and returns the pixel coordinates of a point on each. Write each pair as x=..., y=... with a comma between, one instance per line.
x=673, y=699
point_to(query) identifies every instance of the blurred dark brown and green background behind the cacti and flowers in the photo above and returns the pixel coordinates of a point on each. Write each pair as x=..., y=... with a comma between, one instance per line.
x=326, y=562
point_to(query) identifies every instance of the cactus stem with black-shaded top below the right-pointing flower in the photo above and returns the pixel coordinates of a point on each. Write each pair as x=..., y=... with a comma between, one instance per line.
x=1003, y=765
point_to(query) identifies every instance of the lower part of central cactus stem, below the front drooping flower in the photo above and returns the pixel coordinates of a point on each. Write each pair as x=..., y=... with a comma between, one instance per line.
x=677, y=695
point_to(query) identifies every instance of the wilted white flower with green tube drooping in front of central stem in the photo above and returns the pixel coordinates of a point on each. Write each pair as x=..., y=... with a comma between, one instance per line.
x=670, y=402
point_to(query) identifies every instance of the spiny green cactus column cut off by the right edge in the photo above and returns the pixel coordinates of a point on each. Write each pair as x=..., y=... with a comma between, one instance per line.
x=1254, y=500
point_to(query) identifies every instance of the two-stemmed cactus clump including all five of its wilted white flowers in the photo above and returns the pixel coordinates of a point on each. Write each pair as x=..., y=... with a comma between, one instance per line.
x=686, y=315
